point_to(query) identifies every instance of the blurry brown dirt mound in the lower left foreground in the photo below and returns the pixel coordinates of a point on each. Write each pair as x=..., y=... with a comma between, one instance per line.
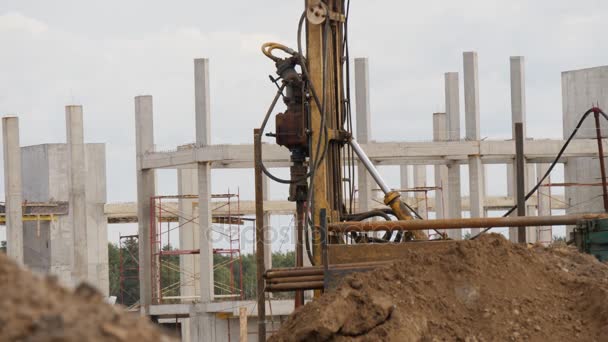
x=37, y=309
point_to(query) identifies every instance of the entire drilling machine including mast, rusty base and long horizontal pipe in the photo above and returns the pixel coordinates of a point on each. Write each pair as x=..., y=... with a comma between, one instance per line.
x=316, y=126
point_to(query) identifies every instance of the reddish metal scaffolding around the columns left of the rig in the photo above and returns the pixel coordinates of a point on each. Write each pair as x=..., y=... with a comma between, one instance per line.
x=165, y=256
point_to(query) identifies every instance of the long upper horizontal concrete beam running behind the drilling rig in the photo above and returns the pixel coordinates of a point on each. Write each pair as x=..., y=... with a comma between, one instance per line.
x=381, y=153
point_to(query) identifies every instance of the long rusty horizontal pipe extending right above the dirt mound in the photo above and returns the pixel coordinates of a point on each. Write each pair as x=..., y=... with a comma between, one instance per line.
x=481, y=222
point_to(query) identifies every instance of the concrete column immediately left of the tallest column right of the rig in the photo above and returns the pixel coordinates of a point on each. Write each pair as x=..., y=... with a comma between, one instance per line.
x=452, y=109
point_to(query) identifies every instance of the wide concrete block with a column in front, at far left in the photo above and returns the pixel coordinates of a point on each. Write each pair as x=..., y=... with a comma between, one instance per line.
x=52, y=174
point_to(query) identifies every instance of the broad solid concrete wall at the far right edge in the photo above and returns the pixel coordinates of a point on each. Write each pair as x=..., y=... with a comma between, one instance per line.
x=582, y=89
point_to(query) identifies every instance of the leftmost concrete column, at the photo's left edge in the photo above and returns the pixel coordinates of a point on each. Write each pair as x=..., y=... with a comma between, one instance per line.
x=12, y=188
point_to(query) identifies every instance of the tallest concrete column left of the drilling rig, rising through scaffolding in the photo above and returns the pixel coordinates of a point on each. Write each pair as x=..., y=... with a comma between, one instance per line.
x=203, y=138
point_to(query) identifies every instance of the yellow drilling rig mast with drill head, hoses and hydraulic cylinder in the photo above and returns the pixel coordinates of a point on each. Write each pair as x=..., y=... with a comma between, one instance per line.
x=317, y=128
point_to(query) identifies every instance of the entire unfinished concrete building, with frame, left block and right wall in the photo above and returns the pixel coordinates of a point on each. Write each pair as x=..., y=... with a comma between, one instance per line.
x=56, y=214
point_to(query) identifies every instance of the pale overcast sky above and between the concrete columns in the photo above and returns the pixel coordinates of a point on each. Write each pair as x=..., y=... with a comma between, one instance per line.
x=101, y=54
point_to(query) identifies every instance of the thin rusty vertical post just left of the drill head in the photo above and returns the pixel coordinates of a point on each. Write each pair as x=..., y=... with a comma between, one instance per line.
x=259, y=231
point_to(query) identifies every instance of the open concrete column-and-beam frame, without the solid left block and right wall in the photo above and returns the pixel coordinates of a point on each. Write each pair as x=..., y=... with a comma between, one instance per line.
x=446, y=153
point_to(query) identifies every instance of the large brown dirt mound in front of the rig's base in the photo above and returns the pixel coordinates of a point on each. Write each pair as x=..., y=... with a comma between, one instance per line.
x=483, y=290
